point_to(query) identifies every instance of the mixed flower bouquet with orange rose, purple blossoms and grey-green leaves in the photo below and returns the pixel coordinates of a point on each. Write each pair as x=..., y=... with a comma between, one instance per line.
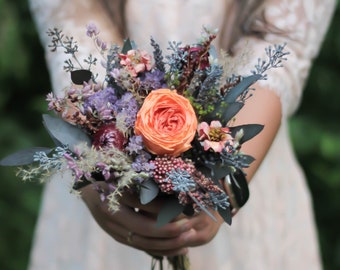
x=158, y=125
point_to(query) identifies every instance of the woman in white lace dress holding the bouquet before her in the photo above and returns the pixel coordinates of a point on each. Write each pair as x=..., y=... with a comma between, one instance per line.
x=275, y=229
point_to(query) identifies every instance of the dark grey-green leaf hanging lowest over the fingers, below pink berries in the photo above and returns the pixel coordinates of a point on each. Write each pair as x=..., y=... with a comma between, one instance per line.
x=171, y=209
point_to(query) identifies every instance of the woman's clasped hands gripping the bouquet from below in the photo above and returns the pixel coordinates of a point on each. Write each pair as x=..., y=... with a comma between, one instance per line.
x=138, y=229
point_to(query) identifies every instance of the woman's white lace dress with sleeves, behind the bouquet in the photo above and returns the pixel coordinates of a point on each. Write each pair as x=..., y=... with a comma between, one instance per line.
x=275, y=229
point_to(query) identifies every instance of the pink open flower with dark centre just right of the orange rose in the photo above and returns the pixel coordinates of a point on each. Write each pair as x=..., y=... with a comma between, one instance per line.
x=214, y=136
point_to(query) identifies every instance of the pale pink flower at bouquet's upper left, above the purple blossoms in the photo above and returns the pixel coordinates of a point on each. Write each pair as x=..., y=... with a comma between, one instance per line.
x=136, y=61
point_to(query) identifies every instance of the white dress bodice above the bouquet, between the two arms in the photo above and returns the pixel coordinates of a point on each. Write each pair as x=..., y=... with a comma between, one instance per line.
x=182, y=21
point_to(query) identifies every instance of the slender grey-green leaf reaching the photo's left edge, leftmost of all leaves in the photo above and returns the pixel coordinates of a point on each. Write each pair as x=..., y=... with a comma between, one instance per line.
x=23, y=157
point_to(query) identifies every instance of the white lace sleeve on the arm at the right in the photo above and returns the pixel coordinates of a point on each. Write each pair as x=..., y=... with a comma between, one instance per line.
x=302, y=26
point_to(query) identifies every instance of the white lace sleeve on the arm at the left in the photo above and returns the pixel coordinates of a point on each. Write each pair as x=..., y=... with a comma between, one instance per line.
x=71, y=17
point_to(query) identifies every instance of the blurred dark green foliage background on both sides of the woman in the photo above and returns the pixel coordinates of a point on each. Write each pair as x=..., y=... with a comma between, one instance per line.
x=24, y=83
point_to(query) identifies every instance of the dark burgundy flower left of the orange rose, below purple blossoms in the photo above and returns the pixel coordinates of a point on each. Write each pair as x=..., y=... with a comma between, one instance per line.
x=109, y=136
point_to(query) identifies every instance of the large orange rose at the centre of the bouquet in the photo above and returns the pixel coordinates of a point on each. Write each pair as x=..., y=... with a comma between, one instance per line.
x=167, y=122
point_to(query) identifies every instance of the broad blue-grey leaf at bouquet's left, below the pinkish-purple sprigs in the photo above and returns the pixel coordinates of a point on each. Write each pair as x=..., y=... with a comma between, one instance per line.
x=65, y=133
